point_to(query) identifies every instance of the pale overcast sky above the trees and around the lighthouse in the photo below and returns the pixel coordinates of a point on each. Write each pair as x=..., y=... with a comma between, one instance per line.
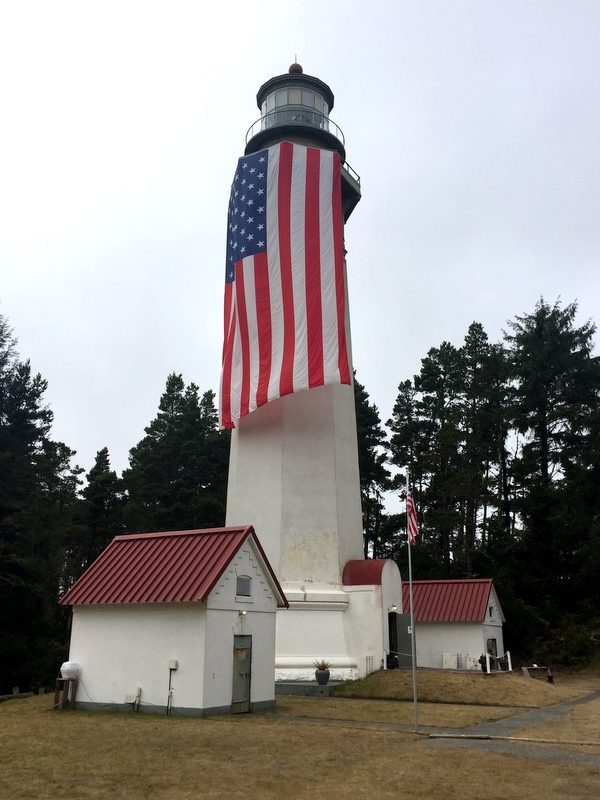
x=474, y=125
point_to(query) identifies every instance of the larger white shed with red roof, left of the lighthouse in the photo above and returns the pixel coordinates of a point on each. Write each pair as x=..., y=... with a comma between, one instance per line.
x=181, y=622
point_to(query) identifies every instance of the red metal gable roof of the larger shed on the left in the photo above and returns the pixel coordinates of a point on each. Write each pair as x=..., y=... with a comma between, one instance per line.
x=170, y=567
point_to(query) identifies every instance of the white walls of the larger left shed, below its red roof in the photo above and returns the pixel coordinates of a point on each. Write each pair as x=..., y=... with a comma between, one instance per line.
x=121, y=648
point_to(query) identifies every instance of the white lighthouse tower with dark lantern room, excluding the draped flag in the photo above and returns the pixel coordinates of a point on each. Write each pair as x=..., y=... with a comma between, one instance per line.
x=294, y=463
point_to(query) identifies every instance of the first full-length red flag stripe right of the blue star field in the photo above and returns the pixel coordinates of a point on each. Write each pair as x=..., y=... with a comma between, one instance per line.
x=284, y=183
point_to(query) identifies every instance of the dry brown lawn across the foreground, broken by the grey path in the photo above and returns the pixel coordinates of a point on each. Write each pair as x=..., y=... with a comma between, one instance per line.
x=51, y=755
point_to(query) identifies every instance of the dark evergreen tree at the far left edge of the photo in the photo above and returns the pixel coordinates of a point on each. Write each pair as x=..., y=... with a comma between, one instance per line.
x=38, y=498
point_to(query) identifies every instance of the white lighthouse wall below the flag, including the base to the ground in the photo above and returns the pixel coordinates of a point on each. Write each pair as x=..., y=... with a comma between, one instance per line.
x=294, y=477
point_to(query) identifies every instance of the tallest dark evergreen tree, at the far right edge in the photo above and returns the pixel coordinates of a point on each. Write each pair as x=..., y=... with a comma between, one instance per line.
x=557, y=393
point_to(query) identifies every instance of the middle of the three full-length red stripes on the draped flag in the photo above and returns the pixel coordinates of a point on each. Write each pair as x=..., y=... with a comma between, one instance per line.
x=312, y=251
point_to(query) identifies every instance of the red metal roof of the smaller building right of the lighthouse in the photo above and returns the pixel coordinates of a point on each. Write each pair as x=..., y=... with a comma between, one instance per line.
x=448, y=601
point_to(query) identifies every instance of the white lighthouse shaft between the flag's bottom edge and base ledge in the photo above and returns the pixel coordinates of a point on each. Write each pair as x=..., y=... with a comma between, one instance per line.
x=293, y=475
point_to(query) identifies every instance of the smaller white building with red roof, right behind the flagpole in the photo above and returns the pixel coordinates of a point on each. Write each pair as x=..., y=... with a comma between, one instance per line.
x=456, y=622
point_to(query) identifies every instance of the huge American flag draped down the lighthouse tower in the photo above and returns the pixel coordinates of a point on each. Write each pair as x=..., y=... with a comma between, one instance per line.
x=285, y=296
